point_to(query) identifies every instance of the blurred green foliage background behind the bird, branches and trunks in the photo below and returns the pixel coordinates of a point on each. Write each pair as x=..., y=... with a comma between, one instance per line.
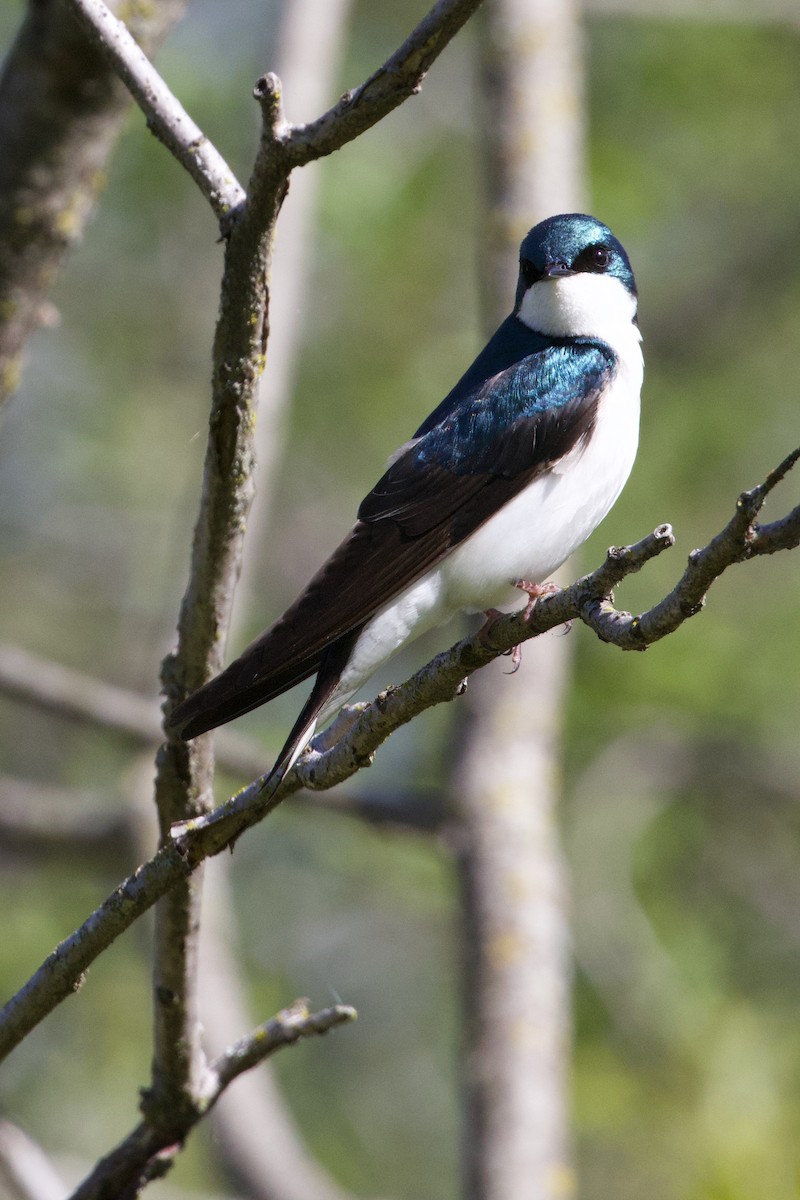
x=681, y=811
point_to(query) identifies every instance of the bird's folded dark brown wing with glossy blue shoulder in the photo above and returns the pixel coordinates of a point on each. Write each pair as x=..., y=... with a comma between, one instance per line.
x=488, y=448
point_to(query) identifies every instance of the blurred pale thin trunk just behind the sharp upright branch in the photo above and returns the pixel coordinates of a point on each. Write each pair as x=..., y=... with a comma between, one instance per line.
x=282, y=1168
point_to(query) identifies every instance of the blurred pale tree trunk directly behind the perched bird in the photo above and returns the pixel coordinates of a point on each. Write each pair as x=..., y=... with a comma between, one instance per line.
x=506, y=785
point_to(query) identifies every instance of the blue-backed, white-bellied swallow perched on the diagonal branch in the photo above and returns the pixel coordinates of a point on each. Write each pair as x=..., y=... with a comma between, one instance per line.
x=498, y=487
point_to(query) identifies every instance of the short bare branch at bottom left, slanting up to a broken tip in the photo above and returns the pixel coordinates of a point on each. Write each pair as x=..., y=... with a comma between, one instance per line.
x=149, y=1151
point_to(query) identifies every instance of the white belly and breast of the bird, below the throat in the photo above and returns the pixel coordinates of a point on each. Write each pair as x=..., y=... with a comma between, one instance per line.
x=528, y=539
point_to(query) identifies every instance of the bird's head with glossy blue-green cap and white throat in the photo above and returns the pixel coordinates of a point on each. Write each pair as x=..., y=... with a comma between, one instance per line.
x=576, y=280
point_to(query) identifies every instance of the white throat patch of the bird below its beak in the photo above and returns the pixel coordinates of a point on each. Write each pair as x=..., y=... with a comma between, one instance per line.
x=582, y=305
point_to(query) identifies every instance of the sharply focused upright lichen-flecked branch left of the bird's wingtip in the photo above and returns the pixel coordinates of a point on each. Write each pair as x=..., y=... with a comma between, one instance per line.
x=185, y=772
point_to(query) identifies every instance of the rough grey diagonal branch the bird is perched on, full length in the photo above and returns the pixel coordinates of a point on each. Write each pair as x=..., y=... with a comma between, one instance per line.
x=351, y=742
